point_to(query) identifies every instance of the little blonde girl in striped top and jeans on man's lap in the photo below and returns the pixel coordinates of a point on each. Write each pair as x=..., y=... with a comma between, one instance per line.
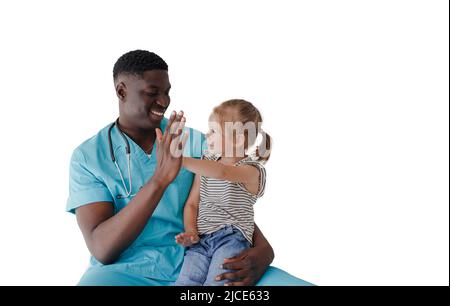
x=218, y=215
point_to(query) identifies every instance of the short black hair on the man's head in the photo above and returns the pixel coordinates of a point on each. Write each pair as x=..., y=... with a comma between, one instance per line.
x=137, y=61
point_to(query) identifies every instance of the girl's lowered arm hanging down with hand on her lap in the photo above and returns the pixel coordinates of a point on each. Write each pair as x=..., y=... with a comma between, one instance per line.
x=190, y=234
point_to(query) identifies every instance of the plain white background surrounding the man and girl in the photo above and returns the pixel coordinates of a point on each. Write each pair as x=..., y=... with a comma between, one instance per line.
x=354, y=93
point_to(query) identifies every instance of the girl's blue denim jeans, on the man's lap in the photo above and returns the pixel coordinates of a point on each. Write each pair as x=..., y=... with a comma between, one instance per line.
x=203, y=260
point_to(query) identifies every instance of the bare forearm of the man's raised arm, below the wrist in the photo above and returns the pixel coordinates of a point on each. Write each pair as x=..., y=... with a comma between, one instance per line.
x=111, y=237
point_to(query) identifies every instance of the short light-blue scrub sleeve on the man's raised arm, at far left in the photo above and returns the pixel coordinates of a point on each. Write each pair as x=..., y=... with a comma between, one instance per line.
x=84, y=187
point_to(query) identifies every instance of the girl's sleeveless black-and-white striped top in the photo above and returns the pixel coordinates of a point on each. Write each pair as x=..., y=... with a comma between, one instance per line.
x=227, y=203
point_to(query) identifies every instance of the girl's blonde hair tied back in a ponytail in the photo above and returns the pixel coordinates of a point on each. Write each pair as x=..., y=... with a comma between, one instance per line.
x=245, y=112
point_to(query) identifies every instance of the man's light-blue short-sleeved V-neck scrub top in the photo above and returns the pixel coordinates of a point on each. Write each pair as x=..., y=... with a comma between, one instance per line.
x=94, y=177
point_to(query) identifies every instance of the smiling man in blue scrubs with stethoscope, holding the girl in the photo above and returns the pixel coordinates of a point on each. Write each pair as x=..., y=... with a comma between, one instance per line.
x=127, y=190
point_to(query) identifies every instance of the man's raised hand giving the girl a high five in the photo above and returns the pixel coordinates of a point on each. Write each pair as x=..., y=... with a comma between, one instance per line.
x=170, y=148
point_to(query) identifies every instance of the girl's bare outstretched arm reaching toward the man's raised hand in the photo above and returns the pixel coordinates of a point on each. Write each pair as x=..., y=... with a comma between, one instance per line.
x=243, y=174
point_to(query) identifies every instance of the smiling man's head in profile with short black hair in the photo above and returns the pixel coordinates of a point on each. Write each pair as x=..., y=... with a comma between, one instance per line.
x=142, y=85
